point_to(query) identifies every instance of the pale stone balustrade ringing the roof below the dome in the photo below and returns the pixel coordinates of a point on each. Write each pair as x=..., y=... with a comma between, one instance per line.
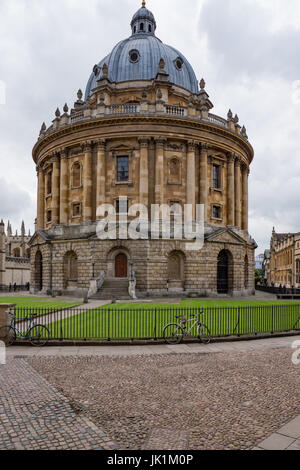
x=104, y=111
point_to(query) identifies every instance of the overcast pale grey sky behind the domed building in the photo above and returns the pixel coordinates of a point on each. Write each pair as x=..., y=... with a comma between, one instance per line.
x=247, y=51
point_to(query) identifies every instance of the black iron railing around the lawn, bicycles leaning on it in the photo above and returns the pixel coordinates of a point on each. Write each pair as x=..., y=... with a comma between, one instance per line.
x=114, y=324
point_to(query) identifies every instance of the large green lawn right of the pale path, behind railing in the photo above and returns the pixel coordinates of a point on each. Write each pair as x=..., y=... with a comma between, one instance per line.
x=146, y=321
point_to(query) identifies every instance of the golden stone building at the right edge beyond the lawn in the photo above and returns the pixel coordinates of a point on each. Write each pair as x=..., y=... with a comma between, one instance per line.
x=284, y=260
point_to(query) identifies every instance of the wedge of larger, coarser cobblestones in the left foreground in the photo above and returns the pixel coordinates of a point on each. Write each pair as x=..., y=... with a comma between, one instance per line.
x=34, y=415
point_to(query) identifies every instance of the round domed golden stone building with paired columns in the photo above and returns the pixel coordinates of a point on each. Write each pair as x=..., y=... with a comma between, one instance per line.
x=144, y=130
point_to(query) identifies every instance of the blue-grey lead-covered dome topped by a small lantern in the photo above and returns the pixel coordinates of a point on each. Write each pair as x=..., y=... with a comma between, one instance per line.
x=137, y=58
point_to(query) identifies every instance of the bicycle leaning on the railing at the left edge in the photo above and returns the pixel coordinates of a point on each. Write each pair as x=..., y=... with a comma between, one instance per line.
x=36, y=333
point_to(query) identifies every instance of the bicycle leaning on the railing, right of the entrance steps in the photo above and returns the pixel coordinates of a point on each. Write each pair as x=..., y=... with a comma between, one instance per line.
x=175, y=332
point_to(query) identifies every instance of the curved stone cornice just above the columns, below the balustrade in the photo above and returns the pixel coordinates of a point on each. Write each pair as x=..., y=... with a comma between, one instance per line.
x=115, y=121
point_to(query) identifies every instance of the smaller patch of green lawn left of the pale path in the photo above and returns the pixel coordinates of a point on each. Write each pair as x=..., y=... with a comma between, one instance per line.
x=41, y=305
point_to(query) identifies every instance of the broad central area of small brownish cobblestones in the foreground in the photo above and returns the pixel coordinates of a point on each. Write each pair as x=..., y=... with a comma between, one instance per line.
x=220, y=400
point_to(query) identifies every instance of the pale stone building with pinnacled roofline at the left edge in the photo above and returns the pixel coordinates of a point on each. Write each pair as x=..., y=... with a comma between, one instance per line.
x=14, y=257
